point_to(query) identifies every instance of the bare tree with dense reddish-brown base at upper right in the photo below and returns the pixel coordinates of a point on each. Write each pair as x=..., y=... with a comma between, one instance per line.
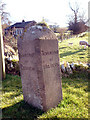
x=77, y=21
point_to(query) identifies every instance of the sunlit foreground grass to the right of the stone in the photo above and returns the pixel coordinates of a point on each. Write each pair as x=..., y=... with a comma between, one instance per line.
x=75, y=102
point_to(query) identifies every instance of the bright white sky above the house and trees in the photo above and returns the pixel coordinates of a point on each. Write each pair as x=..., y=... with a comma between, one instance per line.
x=56, y=11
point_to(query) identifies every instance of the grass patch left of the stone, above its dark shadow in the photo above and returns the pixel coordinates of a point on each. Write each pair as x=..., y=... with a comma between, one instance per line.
x=12, y=90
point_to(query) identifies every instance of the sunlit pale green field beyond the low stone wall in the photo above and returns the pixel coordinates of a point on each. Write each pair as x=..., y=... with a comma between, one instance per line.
x=73, y=53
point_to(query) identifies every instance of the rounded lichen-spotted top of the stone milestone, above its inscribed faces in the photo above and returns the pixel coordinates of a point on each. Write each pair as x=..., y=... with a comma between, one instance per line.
x=38, y=32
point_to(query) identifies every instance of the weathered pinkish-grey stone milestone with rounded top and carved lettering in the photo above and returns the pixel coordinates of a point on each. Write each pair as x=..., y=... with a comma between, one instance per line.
x=40, y=68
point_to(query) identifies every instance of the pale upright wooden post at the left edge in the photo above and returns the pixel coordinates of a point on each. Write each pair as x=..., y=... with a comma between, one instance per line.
x=2, y=61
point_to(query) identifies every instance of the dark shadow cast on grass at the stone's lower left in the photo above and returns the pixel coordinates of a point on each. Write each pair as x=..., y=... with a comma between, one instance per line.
x=21, y=111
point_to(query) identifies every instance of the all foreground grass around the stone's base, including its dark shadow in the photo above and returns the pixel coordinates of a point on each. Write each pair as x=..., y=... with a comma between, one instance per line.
x=73, y=105
